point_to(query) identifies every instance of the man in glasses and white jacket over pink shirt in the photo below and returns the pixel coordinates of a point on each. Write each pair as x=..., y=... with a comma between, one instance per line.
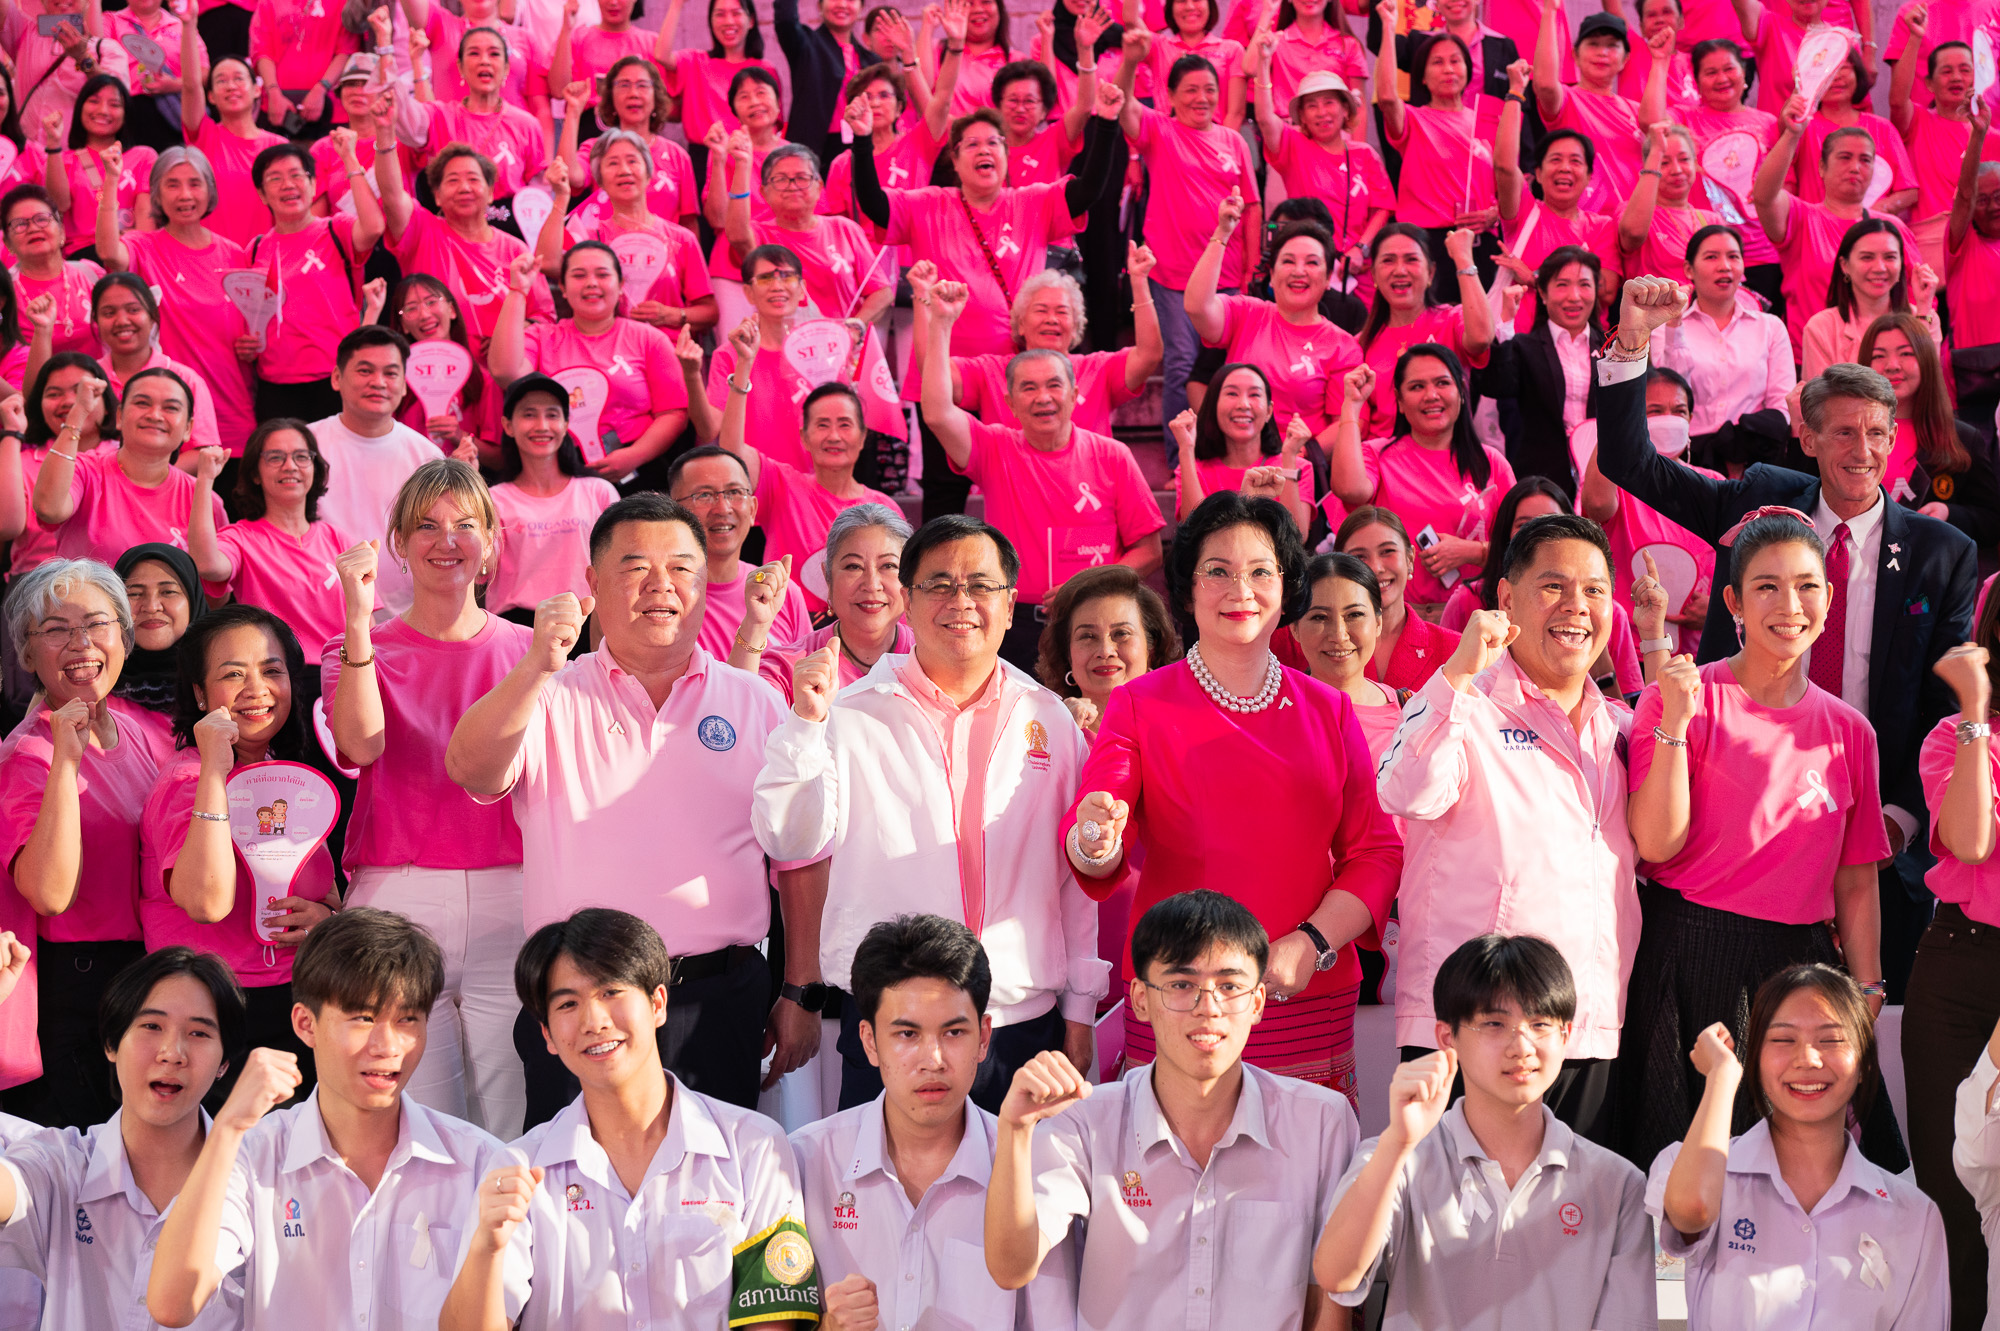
x=939, y=784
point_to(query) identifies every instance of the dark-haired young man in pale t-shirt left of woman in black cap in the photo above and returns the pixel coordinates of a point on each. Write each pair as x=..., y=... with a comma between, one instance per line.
x=369, y=451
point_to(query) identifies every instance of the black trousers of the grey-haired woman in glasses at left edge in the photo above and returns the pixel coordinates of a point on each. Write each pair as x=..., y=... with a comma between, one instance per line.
x=75, y=1088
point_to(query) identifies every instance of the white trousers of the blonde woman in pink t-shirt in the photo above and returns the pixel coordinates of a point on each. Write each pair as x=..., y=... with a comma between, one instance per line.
x=469, y=1068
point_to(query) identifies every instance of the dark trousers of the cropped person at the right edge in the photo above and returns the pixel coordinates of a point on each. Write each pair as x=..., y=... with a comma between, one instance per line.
x=1947, y=1020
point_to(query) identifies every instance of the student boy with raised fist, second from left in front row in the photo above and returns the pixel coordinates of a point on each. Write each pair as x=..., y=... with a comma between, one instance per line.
x=351, y=1210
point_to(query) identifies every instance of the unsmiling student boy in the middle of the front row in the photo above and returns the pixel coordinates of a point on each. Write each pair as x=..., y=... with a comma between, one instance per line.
x=897, y=1188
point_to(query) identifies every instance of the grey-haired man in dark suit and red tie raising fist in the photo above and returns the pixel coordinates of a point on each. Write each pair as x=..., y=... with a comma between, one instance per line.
x=1899, y=585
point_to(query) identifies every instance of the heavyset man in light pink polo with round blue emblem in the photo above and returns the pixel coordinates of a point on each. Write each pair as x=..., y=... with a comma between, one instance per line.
x=631, y=772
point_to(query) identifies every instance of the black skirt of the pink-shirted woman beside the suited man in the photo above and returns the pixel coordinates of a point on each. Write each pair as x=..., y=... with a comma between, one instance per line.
x=1699, y=966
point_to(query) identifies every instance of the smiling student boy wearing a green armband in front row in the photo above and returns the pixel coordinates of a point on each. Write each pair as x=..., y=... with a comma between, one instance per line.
x=643, y=1204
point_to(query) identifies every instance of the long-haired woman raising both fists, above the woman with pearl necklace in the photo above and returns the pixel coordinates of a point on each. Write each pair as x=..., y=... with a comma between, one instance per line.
x=1235, y=445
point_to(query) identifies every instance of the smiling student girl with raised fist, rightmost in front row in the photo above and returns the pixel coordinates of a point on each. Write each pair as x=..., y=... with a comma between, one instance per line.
x=1791, y=1228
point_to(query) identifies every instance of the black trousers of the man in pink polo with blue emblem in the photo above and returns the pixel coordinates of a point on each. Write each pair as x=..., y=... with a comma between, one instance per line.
x=713, y=1040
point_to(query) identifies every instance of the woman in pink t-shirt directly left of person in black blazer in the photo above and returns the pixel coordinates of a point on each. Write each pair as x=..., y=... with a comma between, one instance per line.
x=1403, y=313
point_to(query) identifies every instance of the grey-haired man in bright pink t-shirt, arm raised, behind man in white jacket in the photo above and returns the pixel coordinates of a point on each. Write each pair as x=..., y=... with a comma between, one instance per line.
x=1065, y=497
